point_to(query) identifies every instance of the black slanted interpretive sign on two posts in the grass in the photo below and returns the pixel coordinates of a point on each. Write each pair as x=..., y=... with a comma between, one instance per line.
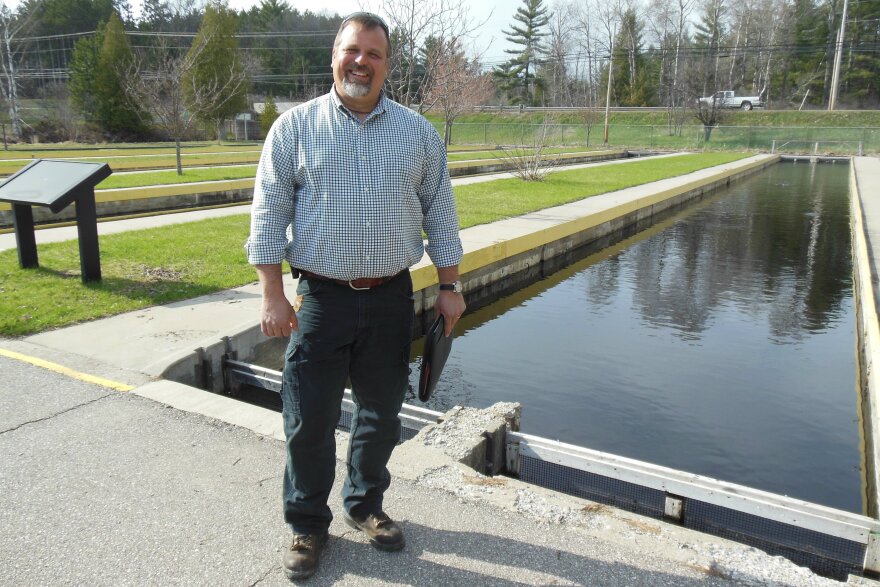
x=55, y=184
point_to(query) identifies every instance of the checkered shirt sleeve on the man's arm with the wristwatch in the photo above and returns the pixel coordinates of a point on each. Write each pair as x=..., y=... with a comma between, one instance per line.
x=438, y=205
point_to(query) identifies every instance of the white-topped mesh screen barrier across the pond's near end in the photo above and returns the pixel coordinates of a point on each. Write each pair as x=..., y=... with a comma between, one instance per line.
x=831, y=542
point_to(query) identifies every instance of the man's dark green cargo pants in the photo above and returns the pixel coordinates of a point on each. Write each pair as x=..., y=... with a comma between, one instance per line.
x=344, y=334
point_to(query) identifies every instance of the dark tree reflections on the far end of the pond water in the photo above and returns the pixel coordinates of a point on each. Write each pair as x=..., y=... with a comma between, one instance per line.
x=778, y=245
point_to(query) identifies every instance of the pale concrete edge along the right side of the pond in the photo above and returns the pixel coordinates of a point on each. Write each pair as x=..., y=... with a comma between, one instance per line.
x=867, y=341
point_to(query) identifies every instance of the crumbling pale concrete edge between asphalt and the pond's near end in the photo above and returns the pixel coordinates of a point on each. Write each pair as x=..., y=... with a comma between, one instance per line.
x=436, y=466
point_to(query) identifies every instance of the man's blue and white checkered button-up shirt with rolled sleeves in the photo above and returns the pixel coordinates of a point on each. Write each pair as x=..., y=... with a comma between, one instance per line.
x=349, y=199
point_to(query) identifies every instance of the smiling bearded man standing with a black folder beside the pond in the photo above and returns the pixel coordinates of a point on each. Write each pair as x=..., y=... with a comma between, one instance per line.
x=345, y=186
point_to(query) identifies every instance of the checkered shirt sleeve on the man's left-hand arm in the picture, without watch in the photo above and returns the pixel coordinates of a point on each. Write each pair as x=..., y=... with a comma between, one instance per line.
x=274, y=189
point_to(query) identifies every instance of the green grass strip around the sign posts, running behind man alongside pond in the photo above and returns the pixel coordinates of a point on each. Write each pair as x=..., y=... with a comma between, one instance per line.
x=155, y=266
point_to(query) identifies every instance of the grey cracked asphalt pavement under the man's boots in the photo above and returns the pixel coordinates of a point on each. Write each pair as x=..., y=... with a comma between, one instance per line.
x=107, y=488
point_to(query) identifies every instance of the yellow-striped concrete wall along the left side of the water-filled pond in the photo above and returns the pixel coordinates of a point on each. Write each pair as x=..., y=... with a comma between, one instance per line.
x=509, y=261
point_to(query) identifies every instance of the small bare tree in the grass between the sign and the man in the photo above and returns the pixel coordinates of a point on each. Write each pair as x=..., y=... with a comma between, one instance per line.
x=165, y=89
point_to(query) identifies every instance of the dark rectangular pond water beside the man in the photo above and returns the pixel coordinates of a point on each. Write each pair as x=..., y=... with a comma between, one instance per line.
x=720, y=341
